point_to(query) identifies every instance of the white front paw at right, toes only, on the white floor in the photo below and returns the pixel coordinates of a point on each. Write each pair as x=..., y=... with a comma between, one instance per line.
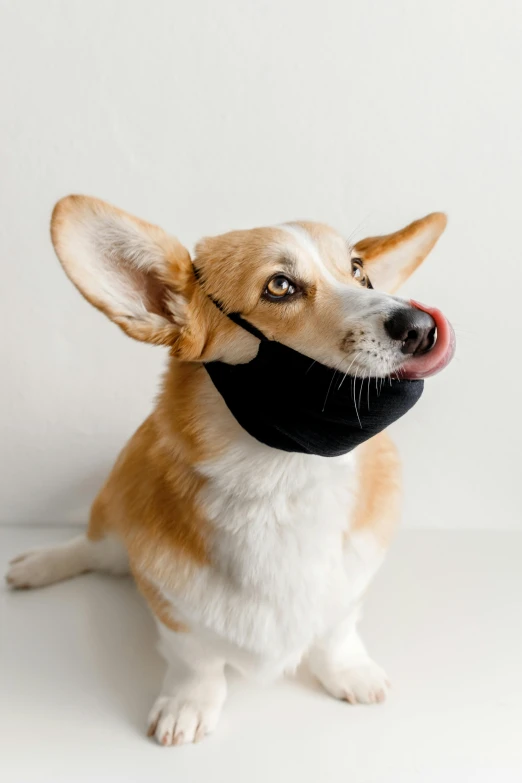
x=365, y=683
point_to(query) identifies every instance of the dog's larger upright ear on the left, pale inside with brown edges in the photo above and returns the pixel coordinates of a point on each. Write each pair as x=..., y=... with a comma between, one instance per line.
x=131, y=270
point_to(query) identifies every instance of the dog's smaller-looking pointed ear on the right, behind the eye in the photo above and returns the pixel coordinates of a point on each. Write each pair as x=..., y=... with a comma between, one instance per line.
x=391, y=259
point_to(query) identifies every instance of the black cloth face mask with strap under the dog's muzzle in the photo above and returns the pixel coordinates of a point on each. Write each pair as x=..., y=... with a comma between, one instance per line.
x=291, y=402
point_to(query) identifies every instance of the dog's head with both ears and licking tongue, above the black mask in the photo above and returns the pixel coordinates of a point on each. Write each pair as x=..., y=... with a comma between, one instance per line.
x=299, y=283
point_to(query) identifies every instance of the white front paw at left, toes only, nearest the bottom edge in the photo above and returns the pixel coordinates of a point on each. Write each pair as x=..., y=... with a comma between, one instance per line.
x=187, y=717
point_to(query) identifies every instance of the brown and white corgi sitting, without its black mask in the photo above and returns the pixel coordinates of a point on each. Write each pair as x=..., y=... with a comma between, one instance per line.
x=246, y=555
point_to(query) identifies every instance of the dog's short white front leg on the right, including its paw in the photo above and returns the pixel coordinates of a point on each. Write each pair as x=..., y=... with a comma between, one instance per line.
x=341, y=664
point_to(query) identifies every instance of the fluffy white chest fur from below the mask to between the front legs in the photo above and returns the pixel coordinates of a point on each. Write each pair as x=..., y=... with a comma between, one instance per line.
x=279, y=573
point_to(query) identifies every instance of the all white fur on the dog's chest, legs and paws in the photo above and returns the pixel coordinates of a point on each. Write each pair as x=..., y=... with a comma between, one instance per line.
x=286, y=579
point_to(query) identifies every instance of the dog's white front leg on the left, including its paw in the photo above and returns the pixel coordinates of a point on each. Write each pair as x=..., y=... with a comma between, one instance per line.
x=193, y=692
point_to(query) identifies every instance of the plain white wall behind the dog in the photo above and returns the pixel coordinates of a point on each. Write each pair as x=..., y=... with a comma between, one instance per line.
x=205, y=116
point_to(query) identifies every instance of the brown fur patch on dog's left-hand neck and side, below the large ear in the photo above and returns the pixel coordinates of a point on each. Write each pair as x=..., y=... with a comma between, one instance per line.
x=150, y=497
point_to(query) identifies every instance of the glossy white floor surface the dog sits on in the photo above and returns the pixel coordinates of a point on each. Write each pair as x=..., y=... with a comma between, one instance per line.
x=79, y=672
